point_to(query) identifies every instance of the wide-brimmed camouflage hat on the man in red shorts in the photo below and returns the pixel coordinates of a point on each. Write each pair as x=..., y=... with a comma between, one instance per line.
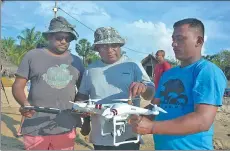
x=60, y=24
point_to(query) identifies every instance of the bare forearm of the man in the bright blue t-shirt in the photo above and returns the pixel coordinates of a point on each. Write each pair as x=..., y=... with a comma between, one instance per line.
x=188, y=124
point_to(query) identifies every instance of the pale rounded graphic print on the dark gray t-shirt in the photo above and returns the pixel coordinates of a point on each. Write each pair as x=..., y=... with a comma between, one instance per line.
x=58, y=77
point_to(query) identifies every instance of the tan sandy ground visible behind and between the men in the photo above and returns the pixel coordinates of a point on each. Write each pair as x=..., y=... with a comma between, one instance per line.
x=10, y=120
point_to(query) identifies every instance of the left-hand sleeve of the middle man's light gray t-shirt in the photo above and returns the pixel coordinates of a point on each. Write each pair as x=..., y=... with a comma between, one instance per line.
x=85, y=84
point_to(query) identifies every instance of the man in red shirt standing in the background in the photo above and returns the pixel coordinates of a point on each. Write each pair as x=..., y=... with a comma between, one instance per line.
x=160, y=67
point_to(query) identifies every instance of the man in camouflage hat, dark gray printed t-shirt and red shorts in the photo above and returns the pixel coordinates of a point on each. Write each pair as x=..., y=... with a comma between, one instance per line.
x=54, y=74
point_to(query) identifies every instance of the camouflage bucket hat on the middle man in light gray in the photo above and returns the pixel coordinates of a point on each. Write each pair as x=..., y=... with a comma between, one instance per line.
x=107, y=35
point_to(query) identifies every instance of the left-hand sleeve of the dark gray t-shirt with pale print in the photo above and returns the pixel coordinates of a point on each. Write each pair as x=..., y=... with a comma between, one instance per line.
x=24, y=67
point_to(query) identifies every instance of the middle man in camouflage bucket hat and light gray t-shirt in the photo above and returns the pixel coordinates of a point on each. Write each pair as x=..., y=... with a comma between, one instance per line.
x=113, y=77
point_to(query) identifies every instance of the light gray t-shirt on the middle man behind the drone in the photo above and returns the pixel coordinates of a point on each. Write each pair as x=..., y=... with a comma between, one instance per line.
x=107, y=82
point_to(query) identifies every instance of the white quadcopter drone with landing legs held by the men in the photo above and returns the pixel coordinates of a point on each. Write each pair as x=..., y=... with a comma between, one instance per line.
x=119, y=112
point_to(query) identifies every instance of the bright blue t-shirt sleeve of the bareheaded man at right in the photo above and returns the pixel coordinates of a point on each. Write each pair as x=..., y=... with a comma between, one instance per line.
x=209, y=86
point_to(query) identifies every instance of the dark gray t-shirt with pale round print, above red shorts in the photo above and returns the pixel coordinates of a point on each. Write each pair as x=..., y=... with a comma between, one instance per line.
x=53, y=84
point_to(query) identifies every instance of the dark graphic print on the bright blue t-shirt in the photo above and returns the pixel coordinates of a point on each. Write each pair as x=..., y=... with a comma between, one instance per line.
x=173, y=94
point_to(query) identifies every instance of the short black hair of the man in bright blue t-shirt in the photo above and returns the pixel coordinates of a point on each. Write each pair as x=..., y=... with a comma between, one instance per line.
x=193, y=23
